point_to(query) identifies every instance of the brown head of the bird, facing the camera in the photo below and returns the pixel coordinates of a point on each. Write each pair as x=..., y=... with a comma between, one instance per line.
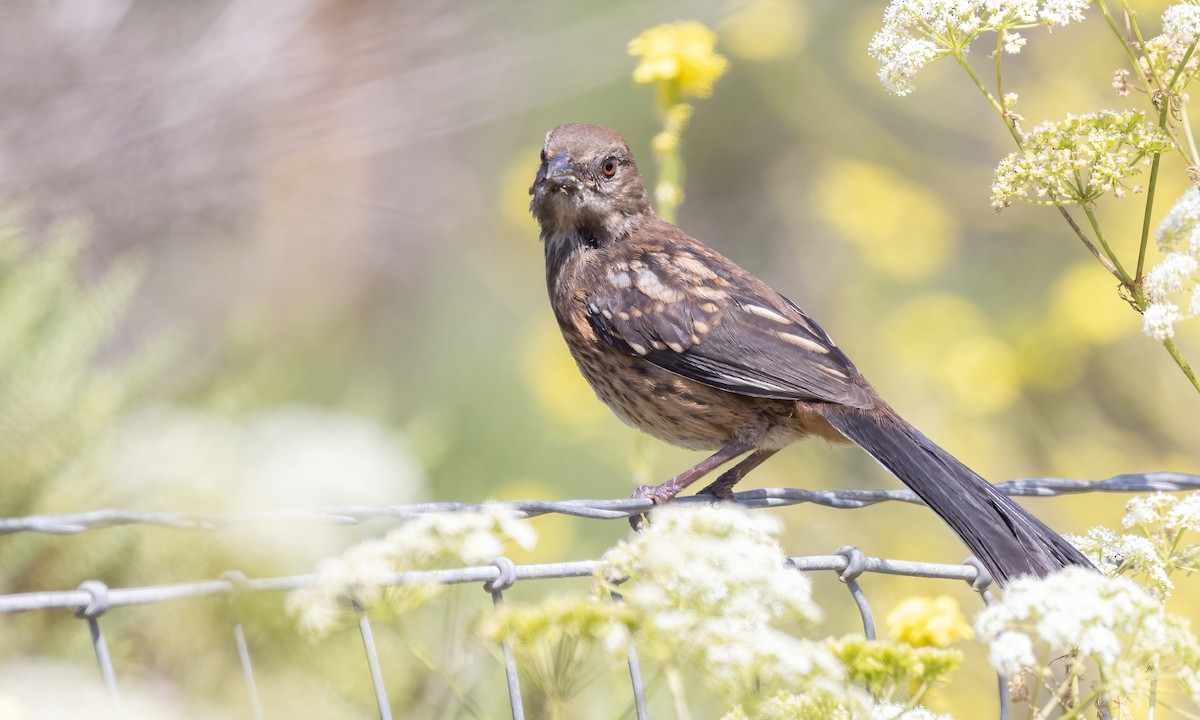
x=587, y=183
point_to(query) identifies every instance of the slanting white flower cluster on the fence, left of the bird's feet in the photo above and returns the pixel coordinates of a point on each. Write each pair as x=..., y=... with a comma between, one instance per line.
x=363, y=572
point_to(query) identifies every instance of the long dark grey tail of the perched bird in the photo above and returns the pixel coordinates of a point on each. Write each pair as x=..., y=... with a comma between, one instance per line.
x=1000, y=533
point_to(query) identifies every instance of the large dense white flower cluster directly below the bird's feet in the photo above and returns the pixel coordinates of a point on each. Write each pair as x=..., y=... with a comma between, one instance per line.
x=707, y=583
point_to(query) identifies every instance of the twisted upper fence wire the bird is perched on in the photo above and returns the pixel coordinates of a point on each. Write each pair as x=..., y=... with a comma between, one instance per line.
x=775, y=497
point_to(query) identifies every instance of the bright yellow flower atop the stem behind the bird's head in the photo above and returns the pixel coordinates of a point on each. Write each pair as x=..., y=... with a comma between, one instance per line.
x=682, y=55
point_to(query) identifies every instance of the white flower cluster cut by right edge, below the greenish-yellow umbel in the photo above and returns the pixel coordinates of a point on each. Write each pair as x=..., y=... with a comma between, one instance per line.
x=1178, y=273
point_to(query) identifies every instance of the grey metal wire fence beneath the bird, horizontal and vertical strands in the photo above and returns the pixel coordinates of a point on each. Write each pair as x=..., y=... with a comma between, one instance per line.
x=93, y=599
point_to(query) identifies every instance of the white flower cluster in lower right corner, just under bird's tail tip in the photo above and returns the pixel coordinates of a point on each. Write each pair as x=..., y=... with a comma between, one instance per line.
x=1112, y=621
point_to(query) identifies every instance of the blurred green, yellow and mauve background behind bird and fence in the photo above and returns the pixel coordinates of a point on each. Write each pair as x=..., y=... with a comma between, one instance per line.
x=262, y=255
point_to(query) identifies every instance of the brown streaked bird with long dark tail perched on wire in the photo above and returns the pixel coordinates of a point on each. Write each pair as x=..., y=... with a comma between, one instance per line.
x=687, y=346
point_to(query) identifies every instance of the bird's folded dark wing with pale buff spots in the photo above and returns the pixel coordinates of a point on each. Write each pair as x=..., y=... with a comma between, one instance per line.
x=713, y=323
